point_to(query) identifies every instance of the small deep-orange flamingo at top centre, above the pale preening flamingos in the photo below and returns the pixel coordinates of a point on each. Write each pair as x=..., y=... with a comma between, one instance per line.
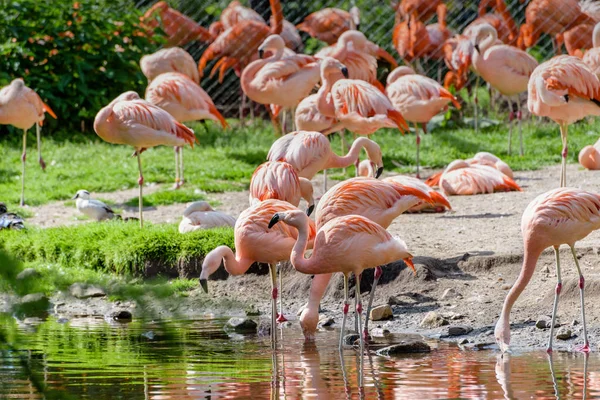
x=329, y=24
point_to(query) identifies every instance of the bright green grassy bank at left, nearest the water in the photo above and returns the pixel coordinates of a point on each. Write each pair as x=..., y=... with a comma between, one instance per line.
x=112, y=246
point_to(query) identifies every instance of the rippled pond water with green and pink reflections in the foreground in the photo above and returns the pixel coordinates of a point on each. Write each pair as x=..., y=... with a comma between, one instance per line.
x=92, y=359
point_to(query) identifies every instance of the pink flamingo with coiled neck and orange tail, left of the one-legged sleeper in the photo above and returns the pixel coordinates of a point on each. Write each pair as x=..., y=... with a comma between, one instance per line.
x=358, y=105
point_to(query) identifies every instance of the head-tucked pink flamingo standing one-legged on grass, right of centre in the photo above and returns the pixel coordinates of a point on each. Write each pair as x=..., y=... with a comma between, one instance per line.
x=418, y=98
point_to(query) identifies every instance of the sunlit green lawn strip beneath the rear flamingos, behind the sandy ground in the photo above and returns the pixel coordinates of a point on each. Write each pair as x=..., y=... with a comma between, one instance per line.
x=225, y=160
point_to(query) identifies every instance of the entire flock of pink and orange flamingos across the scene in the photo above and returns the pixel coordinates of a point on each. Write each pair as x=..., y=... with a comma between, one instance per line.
x=349, y=233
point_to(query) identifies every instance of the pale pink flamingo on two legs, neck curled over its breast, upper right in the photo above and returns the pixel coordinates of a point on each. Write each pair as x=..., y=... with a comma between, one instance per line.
x=506, y=68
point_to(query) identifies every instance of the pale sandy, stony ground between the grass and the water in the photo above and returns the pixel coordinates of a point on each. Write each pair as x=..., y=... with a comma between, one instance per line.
x=475, y=250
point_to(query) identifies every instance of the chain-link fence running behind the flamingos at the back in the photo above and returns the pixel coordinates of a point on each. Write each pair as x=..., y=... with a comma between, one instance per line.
x=378, y=20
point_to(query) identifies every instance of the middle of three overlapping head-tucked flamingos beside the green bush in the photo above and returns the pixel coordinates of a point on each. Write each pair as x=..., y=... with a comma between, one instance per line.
x=186, y=101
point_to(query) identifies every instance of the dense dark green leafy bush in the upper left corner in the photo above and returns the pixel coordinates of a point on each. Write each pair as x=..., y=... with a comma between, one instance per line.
x=78, y=55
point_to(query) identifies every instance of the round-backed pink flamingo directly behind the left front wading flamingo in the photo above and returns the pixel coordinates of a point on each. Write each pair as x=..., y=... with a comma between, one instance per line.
x=279, y=180
